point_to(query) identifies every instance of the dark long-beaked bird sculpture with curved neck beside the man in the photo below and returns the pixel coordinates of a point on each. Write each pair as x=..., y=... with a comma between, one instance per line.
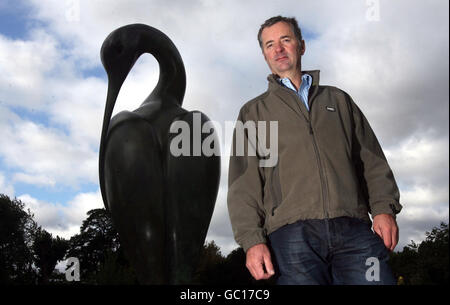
x=161, y=205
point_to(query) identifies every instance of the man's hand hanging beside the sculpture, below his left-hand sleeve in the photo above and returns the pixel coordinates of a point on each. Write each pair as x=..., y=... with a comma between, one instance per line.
x=257, y=257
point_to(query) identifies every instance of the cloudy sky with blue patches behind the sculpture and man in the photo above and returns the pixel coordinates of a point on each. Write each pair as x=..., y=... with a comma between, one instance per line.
x=390, y=56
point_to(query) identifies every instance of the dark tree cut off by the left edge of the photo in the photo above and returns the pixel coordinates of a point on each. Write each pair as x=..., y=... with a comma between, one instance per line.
x=16, y=238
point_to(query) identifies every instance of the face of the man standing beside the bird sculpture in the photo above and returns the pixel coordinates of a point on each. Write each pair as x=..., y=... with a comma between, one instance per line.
x=281, y=49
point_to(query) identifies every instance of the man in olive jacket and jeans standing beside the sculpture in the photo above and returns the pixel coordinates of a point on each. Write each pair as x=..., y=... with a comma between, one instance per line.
x=306, y=218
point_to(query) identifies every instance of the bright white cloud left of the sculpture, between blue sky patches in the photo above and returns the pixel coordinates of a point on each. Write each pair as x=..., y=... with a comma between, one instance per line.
x=47, y=152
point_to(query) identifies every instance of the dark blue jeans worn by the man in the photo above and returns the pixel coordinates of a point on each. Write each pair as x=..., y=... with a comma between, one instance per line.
x=337, y=251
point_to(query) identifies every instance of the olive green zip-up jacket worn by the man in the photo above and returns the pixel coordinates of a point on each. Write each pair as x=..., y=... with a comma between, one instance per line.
x=329, y=164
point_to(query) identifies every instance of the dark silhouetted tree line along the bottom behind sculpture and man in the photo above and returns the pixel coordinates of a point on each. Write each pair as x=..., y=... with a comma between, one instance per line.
x=29, y=254
